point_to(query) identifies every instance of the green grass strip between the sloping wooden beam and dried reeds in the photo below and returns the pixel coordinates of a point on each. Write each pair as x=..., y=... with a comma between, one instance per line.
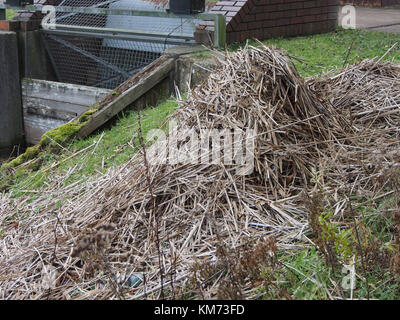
x=104, y=150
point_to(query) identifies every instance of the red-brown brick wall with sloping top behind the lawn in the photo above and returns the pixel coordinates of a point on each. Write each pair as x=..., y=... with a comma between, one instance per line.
x=264, y=19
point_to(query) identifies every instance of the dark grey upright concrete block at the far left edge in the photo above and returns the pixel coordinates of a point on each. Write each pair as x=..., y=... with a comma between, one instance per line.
x=11, y=127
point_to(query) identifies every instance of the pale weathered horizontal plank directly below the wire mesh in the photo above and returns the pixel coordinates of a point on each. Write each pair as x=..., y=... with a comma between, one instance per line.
x=63, y=92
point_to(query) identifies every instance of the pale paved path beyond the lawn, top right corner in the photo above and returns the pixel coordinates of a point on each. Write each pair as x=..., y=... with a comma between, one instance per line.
x=378, y=19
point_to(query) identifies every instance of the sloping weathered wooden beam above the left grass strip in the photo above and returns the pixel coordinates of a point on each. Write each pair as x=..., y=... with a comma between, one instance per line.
x=141, y=83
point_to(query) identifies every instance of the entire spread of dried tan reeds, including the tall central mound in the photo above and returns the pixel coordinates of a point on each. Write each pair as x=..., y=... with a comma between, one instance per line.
x=157, y=220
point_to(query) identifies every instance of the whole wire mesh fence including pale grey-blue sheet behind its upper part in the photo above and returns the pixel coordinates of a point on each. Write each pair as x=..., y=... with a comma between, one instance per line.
x=104, y=50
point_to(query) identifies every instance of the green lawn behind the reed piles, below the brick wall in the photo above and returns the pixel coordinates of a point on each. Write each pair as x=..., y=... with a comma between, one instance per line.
x=324, y=52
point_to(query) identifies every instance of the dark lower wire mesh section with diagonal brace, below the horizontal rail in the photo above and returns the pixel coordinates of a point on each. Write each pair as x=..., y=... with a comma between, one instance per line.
x=87, y=61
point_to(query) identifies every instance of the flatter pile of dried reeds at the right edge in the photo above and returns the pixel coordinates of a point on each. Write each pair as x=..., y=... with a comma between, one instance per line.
x=367, y=97
